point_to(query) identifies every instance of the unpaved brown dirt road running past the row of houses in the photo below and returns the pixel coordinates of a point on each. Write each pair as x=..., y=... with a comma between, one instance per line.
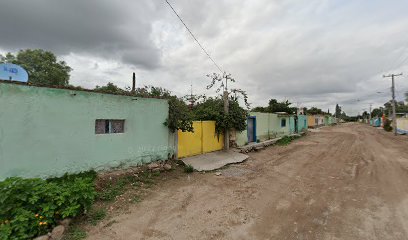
x=344, y=182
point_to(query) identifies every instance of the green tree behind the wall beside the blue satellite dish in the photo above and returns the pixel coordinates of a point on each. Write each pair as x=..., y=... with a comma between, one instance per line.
x=42, y=66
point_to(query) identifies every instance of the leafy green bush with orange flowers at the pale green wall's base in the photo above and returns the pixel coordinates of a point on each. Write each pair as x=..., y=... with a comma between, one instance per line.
x=32, y=207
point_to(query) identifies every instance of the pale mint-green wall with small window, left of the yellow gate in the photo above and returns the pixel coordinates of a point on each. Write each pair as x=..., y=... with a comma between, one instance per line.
x=47, y=132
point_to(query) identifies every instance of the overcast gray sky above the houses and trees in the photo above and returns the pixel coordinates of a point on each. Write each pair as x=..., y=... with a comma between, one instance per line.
x=311, y=52
